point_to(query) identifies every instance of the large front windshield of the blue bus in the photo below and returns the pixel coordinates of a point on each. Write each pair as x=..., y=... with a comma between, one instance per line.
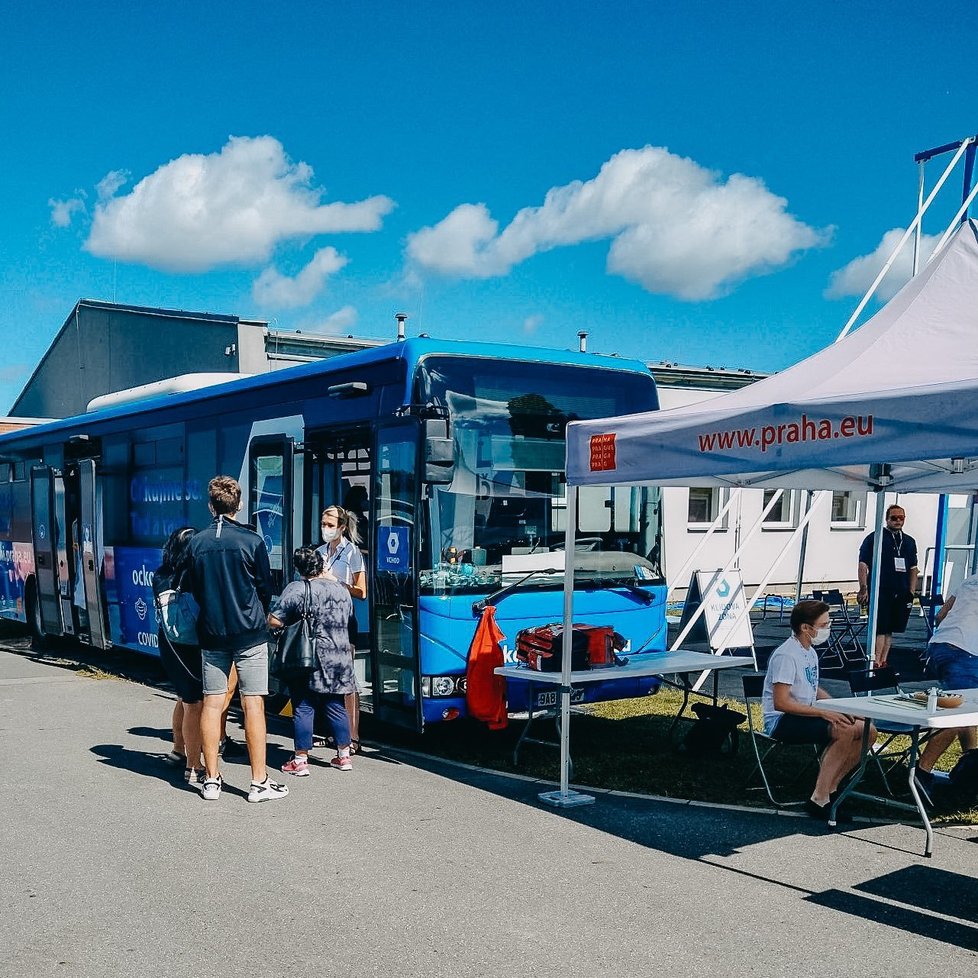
x=503, y=514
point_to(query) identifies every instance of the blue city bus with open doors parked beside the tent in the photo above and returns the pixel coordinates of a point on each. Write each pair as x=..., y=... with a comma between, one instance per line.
x=452, y=456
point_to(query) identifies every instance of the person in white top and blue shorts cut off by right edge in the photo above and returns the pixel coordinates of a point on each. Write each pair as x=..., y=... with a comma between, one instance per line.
x=952, y=657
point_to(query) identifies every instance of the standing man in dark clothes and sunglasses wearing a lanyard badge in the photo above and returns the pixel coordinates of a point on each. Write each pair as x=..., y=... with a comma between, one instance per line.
x=897, y=580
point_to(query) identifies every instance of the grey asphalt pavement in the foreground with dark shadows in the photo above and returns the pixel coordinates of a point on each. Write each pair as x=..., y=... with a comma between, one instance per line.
x=416, y=867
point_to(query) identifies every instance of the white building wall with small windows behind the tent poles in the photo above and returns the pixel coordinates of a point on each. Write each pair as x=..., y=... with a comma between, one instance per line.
x=832, y=549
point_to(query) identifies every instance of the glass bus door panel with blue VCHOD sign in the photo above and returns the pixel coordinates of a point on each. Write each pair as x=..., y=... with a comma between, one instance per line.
x=396, y=670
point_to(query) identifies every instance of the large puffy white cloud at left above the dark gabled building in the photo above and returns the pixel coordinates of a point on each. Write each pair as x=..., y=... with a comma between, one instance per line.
x=232, y=207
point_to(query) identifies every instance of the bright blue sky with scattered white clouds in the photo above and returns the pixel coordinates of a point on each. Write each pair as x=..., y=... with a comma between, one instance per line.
x=687, y=181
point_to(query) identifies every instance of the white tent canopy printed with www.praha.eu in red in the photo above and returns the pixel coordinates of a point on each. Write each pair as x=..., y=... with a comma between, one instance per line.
x=900, y=390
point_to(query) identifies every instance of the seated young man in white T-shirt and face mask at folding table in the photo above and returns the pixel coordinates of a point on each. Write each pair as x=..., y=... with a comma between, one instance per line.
x=790, y=689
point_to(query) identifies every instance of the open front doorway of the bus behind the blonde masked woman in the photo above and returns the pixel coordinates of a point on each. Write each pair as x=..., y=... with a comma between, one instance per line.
x=339, y=474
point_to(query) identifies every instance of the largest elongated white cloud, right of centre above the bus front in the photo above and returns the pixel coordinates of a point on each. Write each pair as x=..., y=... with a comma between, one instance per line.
x=675, y=227
